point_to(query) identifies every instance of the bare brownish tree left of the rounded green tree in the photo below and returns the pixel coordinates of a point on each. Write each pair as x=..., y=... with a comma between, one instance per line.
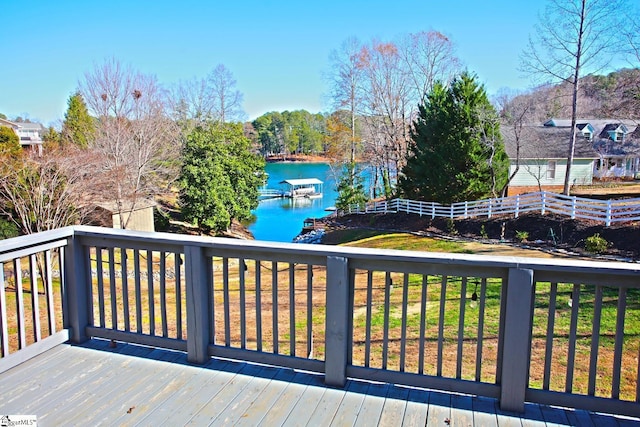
x=136, y=143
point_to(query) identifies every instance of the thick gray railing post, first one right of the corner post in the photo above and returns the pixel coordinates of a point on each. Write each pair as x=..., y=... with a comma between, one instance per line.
x=198, y=285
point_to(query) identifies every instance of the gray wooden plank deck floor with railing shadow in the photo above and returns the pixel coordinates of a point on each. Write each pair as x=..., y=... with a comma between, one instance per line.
x=94, y=384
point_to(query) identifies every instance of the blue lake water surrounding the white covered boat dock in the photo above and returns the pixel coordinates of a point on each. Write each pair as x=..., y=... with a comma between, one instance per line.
x=281, y=219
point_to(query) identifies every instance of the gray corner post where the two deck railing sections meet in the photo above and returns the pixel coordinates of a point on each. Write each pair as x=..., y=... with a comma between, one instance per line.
x=77, y=282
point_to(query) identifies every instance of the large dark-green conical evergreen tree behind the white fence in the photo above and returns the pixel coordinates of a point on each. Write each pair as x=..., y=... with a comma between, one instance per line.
x=456, y=152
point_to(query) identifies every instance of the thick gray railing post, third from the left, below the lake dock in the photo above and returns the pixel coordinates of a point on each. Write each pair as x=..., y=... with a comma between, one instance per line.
x=337, y=321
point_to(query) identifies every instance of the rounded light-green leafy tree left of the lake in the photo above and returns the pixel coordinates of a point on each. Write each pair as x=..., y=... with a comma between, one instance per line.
x=220, y=177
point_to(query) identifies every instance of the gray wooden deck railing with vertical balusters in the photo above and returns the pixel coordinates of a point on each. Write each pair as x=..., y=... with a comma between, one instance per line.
x=562, y=332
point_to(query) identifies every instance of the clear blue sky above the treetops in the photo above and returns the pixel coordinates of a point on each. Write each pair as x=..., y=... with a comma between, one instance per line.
x=276, y=50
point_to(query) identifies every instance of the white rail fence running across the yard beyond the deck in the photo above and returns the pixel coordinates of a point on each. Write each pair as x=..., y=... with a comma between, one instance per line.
x=607, y=211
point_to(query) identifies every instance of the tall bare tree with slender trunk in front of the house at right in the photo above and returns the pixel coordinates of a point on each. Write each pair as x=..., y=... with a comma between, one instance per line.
x=572, y=38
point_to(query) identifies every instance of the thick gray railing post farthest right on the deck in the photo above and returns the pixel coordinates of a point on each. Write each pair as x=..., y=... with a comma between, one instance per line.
x=517, y=342
